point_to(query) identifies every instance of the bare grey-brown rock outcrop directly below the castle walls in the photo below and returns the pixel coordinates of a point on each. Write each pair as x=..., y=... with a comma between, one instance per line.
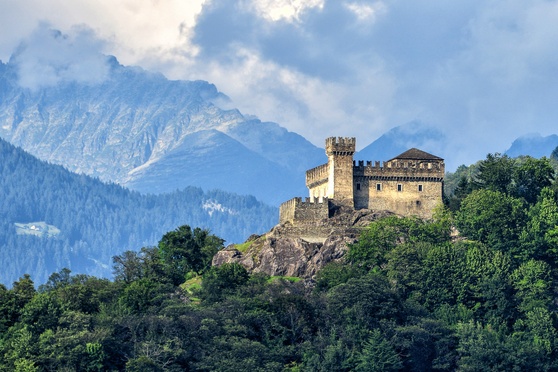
x=299, y=250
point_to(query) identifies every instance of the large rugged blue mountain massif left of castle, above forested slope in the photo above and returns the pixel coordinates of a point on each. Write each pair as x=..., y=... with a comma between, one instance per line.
x=135, y=127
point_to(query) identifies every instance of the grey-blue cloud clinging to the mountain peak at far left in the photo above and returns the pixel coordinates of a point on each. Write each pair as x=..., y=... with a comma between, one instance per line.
x=48, y=57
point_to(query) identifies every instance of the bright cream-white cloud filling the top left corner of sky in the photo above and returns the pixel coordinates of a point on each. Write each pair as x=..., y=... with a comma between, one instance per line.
x=135, y=29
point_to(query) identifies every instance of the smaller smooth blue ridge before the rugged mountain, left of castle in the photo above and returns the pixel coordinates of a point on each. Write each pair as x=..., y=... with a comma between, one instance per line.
x=199, y=161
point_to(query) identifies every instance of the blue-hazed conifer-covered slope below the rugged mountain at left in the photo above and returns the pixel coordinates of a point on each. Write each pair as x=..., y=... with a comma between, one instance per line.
x=89, y=221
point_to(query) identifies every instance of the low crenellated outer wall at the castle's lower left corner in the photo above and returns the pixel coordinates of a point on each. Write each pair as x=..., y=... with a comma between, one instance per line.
x=311, y=210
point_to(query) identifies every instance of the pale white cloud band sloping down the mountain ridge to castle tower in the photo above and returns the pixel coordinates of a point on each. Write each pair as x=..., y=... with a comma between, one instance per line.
x=313, y=107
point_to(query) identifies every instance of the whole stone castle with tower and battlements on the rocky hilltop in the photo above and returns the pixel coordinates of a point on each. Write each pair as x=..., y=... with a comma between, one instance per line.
x=409, y=185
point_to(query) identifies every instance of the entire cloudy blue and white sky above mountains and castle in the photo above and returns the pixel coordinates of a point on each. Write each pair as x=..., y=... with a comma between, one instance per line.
x=482, y=72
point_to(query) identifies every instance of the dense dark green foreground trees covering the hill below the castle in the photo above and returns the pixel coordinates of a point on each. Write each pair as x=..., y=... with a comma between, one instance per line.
x=411, y=295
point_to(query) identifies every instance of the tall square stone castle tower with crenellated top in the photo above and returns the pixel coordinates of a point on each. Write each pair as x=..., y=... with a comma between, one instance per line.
x=340, y=151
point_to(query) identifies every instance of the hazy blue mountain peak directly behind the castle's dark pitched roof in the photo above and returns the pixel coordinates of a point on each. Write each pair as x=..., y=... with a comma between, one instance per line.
x=402, y=138
